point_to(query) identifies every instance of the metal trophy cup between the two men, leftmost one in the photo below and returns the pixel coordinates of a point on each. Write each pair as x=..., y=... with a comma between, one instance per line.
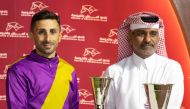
x=100, y=86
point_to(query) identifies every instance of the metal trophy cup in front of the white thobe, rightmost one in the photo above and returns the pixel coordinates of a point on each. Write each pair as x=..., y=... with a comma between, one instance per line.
x=158, y=95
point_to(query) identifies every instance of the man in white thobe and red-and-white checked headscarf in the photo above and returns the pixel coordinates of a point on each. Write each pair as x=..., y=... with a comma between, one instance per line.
x=142, y=59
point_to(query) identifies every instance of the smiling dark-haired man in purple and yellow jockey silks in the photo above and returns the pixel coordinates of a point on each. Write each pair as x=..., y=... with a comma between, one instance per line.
x=42, y=80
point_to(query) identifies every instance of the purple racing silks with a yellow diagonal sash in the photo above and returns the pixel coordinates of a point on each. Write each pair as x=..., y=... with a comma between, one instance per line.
x=36, y=82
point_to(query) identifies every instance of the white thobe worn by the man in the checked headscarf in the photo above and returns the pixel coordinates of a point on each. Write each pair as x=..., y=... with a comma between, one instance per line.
x=126, y=89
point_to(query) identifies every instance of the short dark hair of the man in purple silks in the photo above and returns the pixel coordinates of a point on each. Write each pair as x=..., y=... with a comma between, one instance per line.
x=43, y=14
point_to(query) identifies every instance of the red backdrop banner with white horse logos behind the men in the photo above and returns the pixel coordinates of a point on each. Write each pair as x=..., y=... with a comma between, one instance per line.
x=89, y=36
